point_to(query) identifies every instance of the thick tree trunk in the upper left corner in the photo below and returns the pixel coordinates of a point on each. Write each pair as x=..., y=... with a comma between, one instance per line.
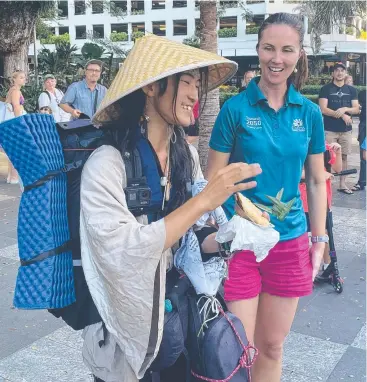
x=17, y=22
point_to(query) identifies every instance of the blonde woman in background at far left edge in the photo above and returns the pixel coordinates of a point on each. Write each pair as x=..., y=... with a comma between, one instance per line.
x=15, y=100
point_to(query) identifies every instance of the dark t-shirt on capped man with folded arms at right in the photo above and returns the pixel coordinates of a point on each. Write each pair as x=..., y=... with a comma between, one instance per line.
x=337, y=97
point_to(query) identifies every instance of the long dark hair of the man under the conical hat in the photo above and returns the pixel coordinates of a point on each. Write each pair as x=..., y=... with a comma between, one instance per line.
x=125, y=131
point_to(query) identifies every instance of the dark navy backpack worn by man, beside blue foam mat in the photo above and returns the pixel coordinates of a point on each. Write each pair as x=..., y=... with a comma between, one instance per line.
x=79, y=138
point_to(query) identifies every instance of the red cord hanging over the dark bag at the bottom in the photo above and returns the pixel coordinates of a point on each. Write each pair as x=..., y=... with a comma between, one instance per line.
x=245, y=361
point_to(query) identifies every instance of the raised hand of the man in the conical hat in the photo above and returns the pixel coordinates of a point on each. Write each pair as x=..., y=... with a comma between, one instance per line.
x=226, y=182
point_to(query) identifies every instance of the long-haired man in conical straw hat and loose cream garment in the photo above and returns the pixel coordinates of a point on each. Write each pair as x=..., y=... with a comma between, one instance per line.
x=126, y=258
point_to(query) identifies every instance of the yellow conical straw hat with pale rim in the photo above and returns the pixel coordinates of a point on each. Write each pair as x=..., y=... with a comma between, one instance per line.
x=153, y=58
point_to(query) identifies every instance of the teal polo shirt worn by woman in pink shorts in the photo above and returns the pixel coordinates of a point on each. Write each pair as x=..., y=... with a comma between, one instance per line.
x=252, y=132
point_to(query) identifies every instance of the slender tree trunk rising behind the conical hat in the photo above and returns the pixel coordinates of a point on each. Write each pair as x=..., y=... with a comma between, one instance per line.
x=208, y=42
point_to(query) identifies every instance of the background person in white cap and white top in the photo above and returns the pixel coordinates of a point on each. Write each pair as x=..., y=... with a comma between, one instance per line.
x=51, y=97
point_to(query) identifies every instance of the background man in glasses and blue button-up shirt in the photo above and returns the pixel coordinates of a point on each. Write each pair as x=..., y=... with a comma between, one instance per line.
x=85, y=96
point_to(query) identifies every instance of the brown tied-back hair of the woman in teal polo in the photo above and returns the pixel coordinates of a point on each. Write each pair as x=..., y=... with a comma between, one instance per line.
x=297, y=79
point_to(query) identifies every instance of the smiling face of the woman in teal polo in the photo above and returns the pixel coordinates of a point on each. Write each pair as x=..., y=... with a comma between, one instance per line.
x=279, y=51
